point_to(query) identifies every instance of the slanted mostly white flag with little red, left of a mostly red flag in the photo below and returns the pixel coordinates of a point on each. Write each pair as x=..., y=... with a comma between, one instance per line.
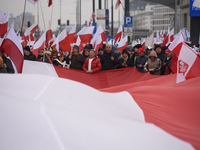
x=59, y=40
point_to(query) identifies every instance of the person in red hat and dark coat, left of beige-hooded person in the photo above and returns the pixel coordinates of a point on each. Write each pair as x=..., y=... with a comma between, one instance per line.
x=140, y=60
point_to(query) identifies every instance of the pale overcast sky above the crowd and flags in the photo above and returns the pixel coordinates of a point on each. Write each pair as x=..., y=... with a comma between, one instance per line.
x=68, y=10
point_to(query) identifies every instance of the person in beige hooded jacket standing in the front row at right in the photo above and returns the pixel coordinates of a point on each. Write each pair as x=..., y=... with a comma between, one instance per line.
x=153, y=64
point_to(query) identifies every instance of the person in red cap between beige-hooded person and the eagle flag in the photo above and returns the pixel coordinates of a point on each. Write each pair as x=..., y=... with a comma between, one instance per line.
x=166, y=63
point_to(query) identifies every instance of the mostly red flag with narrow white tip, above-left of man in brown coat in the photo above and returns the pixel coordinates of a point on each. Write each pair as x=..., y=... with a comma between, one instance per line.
x=66, y=45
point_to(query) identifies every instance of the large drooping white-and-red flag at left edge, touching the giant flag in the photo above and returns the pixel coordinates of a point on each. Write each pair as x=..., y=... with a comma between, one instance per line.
x=13, y=48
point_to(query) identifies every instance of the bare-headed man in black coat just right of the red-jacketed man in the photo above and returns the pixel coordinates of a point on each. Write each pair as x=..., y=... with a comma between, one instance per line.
x=108, y=60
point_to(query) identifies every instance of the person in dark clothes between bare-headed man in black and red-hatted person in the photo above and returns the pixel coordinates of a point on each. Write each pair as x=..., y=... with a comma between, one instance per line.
x=125, y=60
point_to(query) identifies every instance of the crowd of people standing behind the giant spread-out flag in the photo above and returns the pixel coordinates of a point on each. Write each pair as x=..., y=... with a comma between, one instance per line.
x=156, y=60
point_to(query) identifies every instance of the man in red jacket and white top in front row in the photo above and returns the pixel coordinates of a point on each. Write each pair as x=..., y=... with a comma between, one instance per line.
x=92, y=64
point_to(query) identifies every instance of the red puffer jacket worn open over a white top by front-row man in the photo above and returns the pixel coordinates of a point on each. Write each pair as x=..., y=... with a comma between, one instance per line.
x=95, y=66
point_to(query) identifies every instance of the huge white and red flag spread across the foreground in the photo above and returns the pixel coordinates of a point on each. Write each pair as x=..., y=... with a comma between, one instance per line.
x=154, y=118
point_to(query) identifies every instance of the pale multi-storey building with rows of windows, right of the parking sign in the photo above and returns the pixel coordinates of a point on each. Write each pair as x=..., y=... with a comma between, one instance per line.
x=163, y=17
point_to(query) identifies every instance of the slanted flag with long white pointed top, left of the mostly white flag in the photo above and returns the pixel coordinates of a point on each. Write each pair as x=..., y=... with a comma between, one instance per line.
x=40, y=44
